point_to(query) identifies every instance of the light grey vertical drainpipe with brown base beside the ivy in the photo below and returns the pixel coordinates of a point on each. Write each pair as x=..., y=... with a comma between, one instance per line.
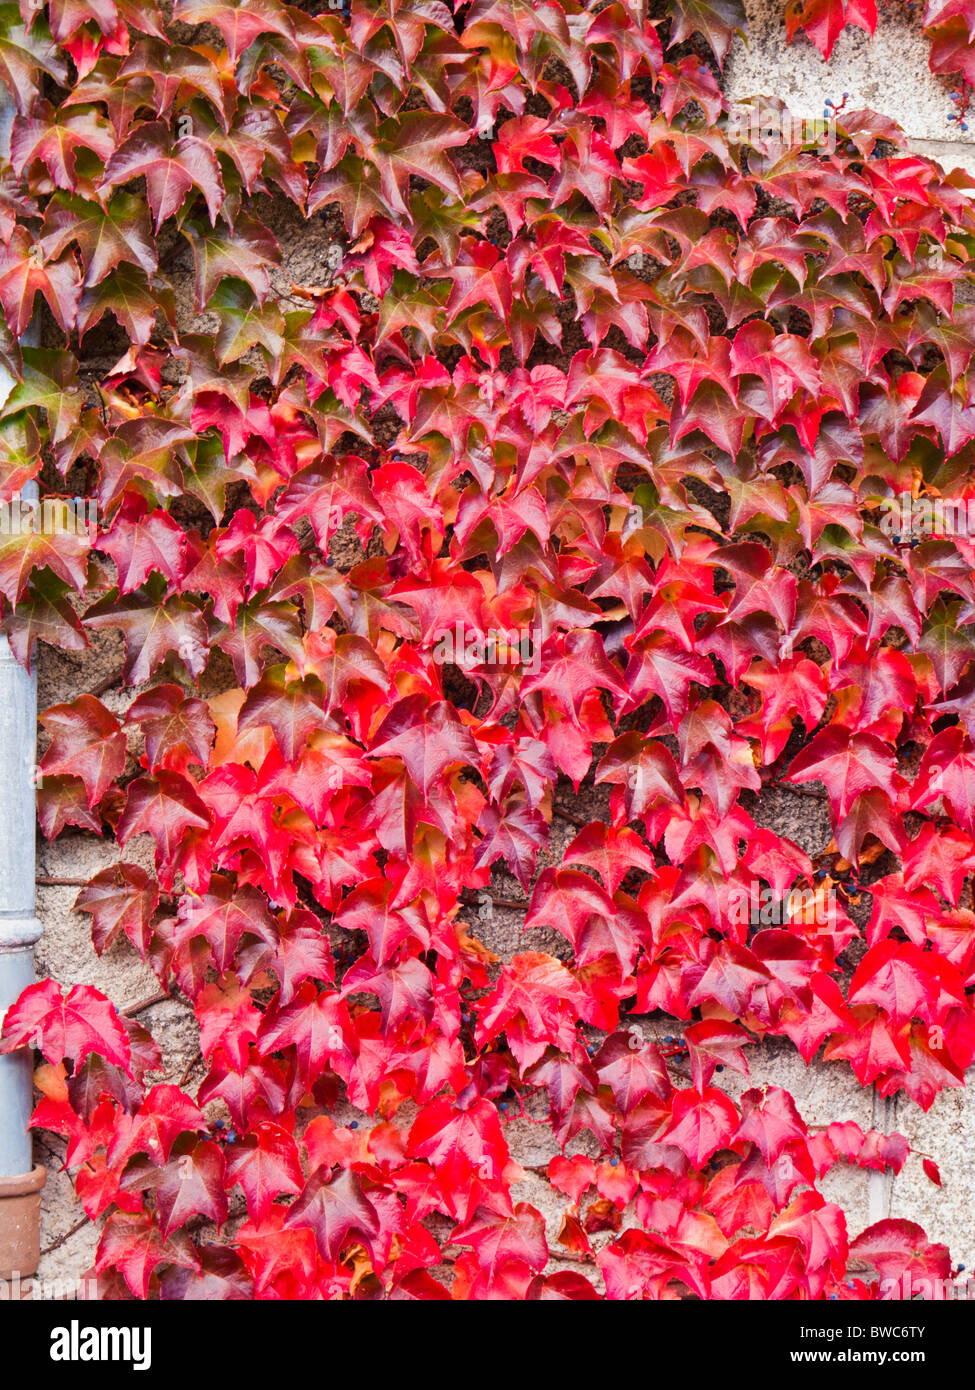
x=20, y=1179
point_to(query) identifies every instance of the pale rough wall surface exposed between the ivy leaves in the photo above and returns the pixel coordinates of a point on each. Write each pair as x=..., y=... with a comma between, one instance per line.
x=889, y=74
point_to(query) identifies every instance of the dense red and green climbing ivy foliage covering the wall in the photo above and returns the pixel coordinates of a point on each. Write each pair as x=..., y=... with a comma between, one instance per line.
x=528, y=550
